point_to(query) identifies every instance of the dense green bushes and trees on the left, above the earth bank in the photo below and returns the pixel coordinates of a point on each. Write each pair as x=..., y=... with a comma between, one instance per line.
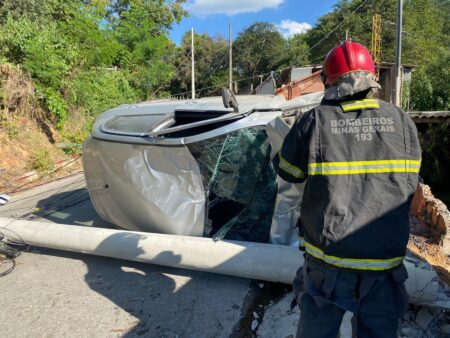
x=89, y=56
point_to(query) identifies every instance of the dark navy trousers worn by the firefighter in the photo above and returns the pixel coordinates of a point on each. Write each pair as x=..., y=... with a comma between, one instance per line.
x=324, y=294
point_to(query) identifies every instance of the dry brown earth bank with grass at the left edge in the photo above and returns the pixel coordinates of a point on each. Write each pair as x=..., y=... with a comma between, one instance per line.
x=28, y=140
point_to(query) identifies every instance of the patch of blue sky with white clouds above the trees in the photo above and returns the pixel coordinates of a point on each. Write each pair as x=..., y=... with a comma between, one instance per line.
x=213, y=16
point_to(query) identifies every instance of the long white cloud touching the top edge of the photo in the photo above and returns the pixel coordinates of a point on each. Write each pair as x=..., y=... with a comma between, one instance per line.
x=230, y=7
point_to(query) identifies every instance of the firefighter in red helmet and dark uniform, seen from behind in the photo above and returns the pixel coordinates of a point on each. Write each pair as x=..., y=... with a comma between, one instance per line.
x=360, y=157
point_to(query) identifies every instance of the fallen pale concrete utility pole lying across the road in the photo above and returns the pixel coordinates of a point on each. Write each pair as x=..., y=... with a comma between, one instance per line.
x=270, y=262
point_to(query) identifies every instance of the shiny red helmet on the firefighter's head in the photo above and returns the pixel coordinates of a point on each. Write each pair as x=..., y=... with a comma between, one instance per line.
x=345, y=58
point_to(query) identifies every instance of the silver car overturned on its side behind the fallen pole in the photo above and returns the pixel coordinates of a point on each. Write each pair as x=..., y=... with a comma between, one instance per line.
x=195, y=167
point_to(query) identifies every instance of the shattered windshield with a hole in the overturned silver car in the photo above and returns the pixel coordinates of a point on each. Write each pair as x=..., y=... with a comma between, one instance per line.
x=239, y=182
